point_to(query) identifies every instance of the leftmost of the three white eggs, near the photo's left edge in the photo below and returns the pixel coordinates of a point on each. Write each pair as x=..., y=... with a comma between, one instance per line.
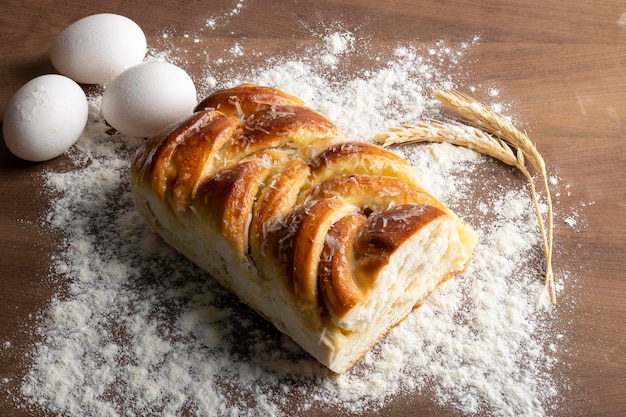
x=45, y=118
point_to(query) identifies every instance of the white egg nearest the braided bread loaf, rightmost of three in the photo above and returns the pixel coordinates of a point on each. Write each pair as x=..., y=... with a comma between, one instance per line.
x=145, y=99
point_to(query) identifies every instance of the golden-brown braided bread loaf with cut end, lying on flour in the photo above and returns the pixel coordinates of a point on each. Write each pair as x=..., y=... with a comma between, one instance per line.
x=332, y=241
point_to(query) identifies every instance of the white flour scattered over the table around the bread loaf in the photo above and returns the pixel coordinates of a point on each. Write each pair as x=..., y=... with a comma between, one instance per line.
x=141, y=331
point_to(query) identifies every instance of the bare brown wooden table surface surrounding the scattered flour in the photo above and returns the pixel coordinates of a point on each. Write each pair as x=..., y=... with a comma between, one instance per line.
x=562, y=63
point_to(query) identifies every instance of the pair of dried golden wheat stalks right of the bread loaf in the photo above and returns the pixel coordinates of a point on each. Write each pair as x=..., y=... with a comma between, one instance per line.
x=491, y=135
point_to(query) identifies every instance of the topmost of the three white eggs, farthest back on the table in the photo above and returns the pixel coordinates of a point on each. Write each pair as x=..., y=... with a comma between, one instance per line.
x=97, y=48
